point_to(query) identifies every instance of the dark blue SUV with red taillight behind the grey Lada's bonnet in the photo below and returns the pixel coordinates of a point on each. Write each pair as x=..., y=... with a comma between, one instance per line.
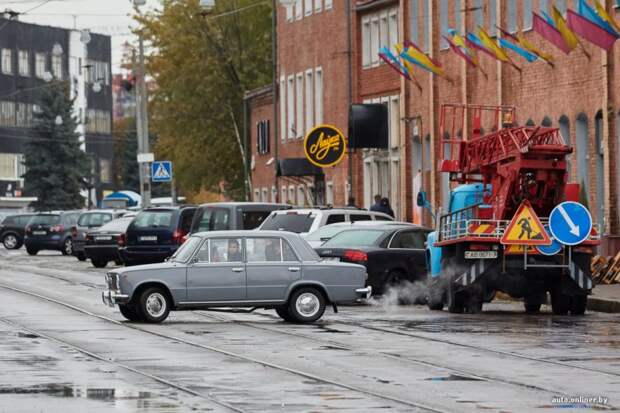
x=156, y=233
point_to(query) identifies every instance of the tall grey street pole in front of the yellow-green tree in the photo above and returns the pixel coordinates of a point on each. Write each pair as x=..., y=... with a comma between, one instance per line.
x=142, y=126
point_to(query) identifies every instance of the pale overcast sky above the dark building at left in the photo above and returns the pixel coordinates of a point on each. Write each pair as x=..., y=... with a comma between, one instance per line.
x=110, y=17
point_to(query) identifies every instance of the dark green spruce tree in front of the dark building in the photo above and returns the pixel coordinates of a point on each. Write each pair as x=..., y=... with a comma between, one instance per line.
x=56, y=168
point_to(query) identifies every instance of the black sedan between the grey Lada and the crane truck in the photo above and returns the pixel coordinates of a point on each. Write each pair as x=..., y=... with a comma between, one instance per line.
x=392, y=254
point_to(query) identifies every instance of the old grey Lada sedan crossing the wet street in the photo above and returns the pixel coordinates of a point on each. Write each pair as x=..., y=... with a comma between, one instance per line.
x=267, y=269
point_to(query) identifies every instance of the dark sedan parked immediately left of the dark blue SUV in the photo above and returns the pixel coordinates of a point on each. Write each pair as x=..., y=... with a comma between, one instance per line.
x=102, y=244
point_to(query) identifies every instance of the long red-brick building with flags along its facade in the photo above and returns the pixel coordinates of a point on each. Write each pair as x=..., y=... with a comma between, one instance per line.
x=578, y=94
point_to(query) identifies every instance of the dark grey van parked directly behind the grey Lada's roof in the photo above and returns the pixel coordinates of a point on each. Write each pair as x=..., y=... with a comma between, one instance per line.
x=224, y=216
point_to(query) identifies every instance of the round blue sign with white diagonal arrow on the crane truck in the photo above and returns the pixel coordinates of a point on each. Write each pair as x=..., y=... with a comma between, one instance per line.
x=570, y=223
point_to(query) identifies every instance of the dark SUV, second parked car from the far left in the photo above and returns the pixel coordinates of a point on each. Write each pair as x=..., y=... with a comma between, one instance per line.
x=51, y=231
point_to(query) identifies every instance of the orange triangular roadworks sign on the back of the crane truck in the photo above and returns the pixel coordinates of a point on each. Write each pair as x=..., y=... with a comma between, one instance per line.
x=525, y=228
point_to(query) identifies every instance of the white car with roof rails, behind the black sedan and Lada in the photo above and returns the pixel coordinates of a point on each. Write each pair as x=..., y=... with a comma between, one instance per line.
x=304, y=221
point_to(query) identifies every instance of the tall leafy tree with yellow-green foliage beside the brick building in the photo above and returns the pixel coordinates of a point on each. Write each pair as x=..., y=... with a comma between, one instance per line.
x=202, y=67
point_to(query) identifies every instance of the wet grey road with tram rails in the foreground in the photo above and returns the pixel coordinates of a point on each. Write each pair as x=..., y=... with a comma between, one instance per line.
x=61, y=349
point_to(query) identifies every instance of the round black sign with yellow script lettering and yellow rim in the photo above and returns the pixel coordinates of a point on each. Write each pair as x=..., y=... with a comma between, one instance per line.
x=324, y=146
